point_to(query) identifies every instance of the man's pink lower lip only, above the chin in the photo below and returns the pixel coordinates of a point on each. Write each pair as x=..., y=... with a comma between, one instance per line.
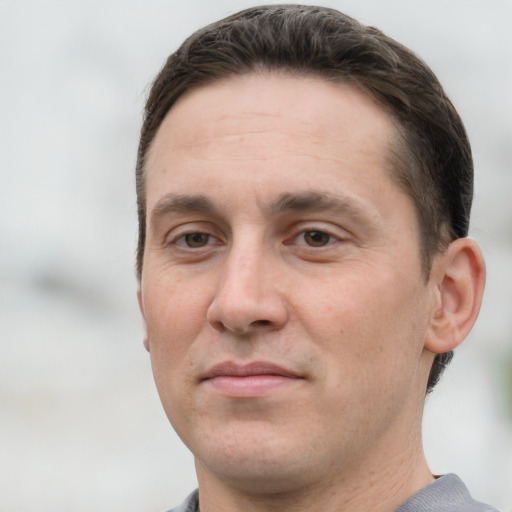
x=249, y=386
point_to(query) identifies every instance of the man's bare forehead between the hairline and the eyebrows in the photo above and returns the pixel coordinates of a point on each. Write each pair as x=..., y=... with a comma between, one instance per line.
x=268, y=128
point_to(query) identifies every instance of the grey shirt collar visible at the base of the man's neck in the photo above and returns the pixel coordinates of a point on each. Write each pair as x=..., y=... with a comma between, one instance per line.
x=446, y=494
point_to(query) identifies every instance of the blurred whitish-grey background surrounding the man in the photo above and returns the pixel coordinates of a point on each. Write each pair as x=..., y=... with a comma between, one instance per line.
x=81, y=426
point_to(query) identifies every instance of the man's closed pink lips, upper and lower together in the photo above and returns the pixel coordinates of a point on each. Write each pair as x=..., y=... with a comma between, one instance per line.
x=254, y=379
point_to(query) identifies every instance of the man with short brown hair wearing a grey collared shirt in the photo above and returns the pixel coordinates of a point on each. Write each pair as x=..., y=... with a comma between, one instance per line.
x=304, y=188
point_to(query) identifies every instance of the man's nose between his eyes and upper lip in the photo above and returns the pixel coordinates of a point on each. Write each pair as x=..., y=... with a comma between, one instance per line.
x=248, y=296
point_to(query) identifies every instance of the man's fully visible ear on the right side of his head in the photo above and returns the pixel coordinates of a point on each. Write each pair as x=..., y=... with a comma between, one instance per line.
x=458, y=275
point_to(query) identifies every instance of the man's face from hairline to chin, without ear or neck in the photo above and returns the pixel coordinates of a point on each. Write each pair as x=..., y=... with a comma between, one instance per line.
x=282, y=290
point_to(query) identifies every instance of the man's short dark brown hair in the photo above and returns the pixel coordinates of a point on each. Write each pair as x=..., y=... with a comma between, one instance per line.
x=432, y=158
